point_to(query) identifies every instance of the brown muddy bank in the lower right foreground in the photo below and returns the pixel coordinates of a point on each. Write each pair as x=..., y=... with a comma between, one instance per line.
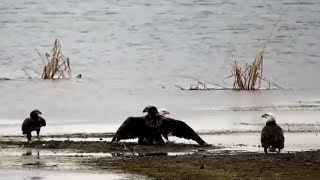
x=301, y=165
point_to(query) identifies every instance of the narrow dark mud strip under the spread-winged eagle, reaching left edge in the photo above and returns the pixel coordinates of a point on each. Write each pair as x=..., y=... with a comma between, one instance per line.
x=106, y=147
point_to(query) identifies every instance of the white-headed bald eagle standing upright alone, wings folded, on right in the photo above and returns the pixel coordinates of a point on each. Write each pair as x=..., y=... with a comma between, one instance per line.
x=272, y=134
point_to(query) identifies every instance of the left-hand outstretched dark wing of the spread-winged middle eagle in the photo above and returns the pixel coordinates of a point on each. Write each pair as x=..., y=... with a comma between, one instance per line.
x=130, y=129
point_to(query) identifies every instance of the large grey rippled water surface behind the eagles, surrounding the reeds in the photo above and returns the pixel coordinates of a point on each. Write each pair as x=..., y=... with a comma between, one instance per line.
x=127, y=50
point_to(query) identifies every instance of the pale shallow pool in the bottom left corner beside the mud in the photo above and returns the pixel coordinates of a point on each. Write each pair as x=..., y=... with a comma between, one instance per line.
x=46, y=164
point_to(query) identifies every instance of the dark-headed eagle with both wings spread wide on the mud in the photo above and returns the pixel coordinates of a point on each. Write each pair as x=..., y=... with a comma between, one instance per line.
x=149, y=128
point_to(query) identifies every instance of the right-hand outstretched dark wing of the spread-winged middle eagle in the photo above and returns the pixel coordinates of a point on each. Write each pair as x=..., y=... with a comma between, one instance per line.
x=180, y=129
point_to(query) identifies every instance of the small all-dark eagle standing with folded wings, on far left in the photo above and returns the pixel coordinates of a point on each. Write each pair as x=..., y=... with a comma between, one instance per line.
x=33, y=123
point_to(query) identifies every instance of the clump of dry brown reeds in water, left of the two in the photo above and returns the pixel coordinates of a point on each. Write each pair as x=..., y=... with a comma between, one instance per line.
x=56, y=65
